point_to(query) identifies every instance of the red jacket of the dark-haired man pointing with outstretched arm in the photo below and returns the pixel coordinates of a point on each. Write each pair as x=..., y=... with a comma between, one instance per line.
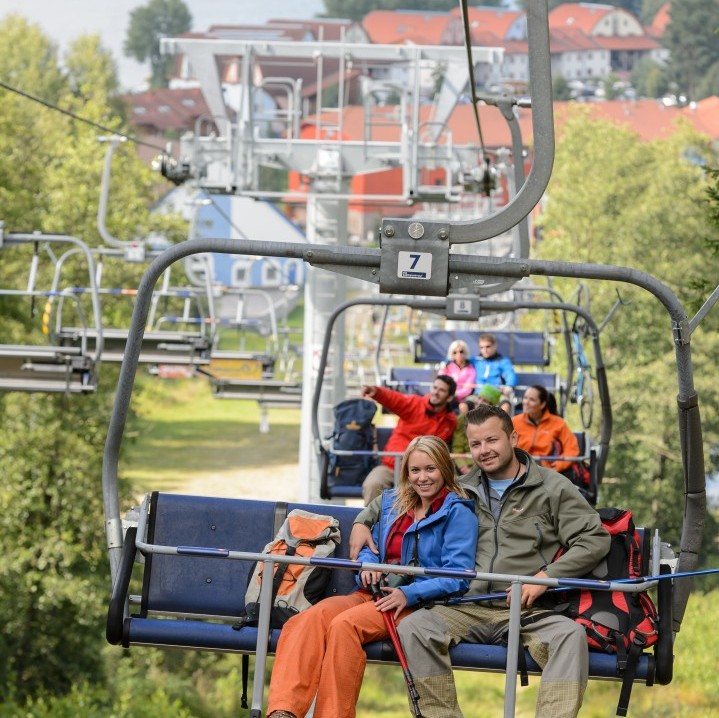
x=416, y=418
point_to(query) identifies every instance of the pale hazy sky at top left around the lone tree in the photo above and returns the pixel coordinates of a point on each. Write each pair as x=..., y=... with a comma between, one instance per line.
x=64, y=20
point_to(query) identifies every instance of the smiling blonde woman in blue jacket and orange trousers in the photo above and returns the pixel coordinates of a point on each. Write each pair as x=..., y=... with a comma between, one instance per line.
x=428, y=520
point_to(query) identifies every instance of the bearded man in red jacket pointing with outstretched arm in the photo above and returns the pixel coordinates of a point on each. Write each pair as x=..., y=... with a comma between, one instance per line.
x=418, y=416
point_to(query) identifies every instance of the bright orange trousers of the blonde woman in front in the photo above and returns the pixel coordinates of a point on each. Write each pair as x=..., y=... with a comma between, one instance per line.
x=320, y=653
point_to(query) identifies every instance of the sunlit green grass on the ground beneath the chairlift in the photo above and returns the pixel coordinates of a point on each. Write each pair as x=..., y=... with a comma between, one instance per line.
x=184, y=433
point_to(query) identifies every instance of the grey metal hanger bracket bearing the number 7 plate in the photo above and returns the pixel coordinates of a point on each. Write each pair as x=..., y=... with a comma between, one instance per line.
x=414, y=257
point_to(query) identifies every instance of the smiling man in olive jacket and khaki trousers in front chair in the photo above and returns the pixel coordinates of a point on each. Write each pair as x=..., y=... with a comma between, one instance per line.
x=525, y=514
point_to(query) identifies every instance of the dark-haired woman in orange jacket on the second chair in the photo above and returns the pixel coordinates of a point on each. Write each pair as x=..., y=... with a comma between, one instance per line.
x=541, y=432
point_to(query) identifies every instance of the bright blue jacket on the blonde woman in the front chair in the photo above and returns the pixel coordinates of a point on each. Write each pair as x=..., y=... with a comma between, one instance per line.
x=446, y=539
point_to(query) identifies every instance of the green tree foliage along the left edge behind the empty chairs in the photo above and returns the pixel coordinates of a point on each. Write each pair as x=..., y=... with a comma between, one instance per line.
x=53, y=570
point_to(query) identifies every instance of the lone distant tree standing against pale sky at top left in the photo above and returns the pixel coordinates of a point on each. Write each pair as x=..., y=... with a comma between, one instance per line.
x=148, y=24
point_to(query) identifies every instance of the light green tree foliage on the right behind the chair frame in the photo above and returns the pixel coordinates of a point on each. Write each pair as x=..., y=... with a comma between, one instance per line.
x=619, y=201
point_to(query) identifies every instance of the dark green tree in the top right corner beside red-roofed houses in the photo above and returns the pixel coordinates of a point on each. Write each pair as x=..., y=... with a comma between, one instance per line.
x=692, y=39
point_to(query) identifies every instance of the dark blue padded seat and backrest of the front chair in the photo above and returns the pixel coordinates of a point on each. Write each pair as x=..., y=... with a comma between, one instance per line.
x=192, y=601
